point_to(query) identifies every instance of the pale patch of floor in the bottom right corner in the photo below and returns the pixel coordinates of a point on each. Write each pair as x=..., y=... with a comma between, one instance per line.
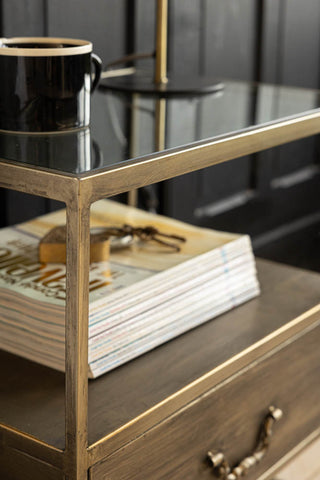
x=306, y=465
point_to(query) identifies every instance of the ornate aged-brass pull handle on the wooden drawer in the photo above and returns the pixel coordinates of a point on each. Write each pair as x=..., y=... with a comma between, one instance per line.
x=221, y=465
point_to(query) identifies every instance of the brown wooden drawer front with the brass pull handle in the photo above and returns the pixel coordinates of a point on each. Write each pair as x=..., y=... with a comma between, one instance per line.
x=228, y=419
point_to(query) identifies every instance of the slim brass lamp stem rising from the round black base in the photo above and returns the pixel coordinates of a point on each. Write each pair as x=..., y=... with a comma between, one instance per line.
x=161, y=42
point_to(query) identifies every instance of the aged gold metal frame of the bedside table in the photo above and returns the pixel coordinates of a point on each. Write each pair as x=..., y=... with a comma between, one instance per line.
x=79, y=192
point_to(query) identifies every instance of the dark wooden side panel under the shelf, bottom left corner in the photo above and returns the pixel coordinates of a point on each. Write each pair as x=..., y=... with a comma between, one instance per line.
x=15, y=465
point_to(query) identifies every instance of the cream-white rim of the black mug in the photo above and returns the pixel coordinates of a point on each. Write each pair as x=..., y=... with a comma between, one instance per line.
x=76, y=47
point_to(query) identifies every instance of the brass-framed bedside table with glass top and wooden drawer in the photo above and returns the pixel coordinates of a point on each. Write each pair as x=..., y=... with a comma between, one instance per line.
x=209, y=390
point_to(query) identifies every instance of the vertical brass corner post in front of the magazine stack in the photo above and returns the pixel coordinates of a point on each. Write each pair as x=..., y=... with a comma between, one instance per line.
x=76, y=458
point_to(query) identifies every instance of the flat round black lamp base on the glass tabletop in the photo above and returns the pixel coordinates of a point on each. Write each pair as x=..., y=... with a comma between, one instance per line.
x=145, y=84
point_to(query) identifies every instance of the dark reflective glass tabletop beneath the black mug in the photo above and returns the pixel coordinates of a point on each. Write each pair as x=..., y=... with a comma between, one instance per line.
x=129, y=126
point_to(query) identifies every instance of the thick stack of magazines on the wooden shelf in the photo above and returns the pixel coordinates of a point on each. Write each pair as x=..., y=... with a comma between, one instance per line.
x=145, y=295
